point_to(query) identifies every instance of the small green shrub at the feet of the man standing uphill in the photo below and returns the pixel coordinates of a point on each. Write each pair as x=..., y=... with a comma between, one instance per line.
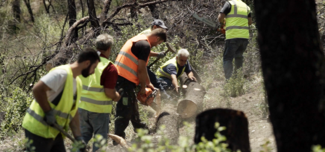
x=235, y=85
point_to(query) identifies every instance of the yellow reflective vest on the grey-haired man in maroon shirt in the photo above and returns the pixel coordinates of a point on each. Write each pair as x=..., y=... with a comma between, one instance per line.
x=93, y=97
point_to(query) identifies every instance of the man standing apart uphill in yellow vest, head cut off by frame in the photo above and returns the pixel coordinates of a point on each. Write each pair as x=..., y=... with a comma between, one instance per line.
x=239, y=18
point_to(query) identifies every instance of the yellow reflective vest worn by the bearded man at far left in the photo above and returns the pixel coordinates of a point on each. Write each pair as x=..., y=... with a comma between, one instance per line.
x=64, y=111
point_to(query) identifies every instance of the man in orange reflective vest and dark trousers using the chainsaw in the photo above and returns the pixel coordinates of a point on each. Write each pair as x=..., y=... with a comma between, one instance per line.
x=131, y=65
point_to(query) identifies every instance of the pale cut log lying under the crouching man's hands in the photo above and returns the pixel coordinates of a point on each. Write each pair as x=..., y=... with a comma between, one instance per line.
x=193, y=97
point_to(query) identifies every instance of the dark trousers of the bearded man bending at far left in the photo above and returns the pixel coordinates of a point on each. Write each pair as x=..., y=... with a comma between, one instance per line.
x=44, y=144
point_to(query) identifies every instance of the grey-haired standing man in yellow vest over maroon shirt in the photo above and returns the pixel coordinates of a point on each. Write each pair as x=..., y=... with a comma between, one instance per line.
x=98, y=94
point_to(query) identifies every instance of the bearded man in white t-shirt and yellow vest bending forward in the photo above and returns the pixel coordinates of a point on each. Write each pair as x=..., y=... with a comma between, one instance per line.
x=56, y=102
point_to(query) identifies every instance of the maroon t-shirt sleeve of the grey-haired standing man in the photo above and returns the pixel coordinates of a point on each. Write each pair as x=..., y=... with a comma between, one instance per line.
x=109, y=76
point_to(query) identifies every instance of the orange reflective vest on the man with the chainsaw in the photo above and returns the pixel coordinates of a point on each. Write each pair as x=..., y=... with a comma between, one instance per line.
x=127, y=63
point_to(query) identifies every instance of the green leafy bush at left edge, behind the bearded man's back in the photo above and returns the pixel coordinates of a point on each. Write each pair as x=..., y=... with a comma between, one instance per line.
x=15, y=108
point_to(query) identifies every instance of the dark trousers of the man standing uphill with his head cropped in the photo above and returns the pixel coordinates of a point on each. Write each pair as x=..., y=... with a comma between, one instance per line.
x=234, y=49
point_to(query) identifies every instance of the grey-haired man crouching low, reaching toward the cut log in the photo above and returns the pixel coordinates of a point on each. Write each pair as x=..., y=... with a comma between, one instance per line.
x=171, y=70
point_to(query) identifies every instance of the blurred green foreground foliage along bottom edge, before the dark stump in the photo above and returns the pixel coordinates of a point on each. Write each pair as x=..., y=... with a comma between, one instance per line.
x=145, y=143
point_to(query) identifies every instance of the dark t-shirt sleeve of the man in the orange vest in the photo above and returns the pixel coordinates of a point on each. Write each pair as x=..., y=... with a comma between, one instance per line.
x=141, y=50
